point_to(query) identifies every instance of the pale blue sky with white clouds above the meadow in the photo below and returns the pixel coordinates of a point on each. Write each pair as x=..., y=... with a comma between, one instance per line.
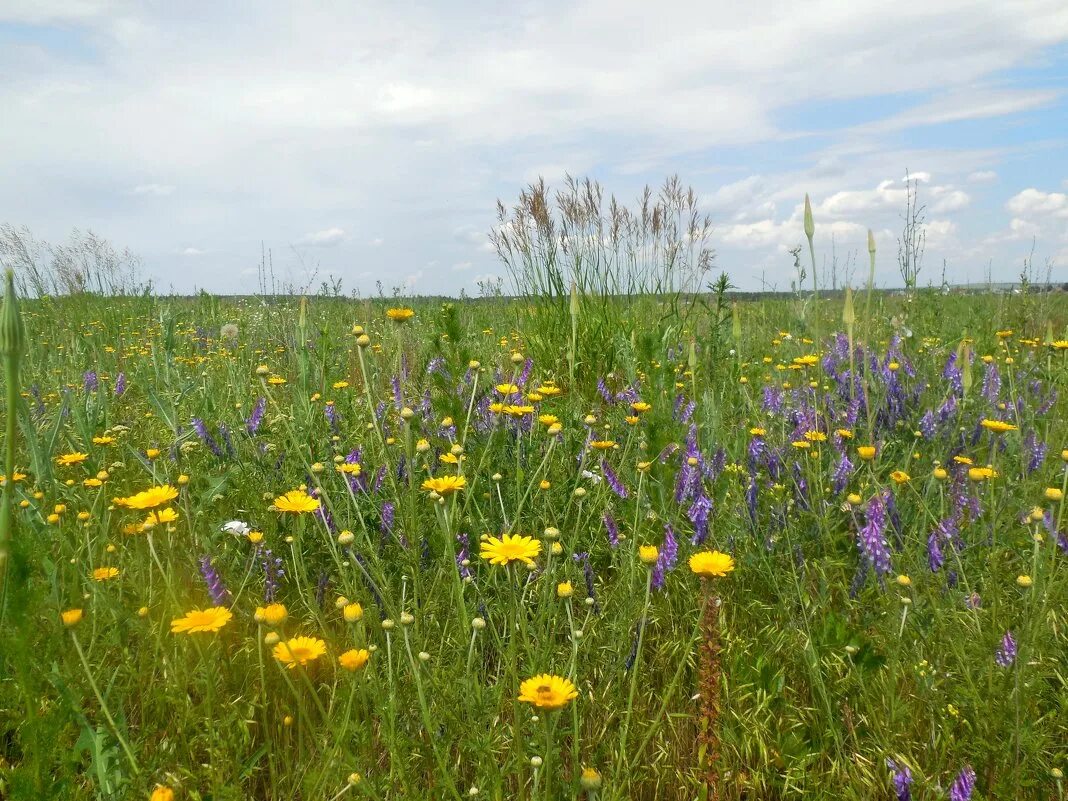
x=371, y=143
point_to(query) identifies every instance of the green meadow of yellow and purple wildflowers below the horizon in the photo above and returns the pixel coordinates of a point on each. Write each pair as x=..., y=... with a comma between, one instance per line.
x=323, y=549
